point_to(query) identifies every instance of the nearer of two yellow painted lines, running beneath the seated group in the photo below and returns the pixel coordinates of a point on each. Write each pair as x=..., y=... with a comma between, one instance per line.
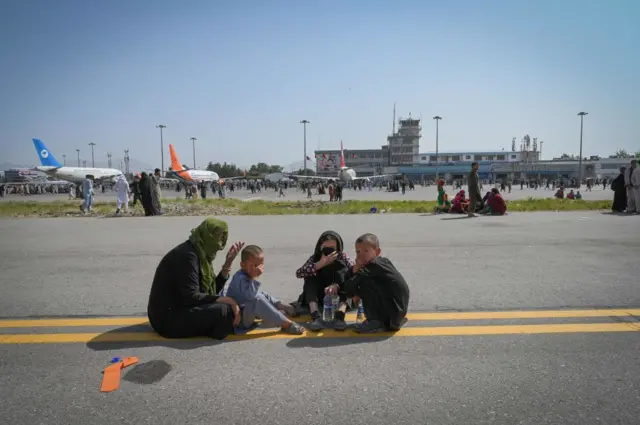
x=115, y=337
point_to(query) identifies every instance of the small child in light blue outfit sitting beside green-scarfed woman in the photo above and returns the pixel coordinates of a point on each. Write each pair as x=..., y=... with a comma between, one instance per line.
x=254, y=303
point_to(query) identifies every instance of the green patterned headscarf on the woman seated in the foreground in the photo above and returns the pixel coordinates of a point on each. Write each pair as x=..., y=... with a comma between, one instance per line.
x=209, y=238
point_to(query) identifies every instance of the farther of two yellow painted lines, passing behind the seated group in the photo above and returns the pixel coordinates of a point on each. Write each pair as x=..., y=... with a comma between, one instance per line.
x=472, y=315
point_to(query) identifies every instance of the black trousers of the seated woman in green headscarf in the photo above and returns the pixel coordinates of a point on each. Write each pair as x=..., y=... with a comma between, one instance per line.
x=211, y=320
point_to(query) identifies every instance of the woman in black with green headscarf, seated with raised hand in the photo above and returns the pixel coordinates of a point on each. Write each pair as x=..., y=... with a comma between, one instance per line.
x=182, y=302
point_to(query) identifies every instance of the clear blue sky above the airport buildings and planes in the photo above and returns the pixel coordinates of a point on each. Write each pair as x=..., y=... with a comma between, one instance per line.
x=240, y=75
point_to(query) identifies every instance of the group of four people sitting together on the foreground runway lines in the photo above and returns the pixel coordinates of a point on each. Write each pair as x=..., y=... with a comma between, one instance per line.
x=188, y=299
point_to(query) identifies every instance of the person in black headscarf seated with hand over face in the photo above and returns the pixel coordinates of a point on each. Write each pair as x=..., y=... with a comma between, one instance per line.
x=325, y=272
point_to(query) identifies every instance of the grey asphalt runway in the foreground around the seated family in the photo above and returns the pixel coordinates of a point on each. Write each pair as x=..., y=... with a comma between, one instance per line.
x=522, y=262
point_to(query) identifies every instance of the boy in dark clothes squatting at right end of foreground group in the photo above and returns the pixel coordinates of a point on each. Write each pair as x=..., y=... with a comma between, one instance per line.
x=380, y=286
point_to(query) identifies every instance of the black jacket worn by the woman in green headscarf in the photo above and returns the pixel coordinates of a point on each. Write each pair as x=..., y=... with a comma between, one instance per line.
x=177, y=284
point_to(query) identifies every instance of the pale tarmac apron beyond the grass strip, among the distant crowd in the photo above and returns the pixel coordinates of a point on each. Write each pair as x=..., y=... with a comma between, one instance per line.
x=419, y=194
